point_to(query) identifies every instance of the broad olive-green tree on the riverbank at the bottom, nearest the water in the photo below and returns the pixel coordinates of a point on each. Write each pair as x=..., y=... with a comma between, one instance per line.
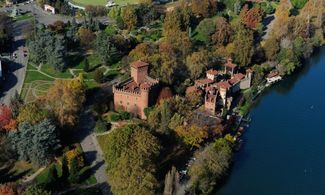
x=210, y=165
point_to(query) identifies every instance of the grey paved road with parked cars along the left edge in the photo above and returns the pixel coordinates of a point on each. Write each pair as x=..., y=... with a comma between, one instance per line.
x=14, y=80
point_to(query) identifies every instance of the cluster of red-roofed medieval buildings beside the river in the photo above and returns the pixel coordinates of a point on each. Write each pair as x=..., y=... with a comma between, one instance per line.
x=219, y=87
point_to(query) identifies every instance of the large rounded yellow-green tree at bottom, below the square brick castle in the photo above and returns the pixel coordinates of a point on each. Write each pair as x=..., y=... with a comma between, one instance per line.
x=130, y=153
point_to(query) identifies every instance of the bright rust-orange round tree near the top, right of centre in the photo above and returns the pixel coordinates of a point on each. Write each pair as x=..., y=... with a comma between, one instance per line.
x=251, y=17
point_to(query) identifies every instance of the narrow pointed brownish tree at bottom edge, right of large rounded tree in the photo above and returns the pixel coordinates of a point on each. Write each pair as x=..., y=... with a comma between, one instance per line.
x=172, y=183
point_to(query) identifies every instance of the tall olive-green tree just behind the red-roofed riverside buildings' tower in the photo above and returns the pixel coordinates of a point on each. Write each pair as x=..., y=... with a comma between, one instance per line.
x=243, y=44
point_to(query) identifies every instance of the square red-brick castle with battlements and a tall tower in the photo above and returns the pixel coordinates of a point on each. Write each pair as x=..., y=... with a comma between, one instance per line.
x=138, y=92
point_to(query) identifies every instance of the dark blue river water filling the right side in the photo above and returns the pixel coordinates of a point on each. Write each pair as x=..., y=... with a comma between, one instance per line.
x=284, y=148
